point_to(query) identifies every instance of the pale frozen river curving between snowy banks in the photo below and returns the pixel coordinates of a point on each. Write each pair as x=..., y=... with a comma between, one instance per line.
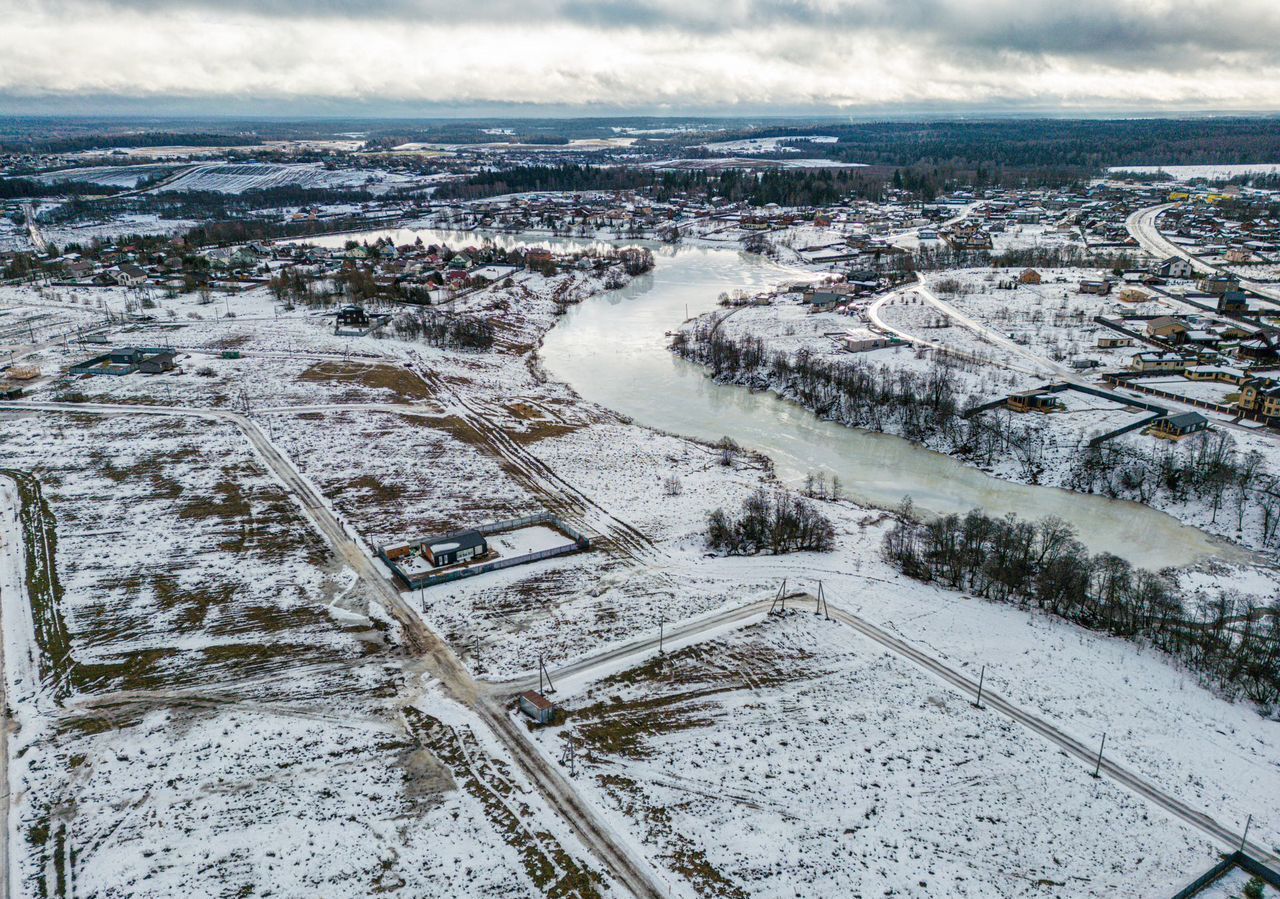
x=612, y=350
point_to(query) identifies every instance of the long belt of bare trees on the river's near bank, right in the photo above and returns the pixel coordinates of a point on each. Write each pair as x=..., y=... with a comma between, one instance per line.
x=1231, y=642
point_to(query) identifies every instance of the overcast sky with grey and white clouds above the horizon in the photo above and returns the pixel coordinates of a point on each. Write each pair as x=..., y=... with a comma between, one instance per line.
x=644, y=56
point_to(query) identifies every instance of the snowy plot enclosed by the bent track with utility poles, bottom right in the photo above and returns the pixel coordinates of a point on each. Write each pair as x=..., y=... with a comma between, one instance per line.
x=794, y=756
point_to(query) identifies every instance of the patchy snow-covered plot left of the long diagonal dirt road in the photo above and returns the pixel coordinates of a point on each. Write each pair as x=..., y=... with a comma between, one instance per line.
x=223, y=708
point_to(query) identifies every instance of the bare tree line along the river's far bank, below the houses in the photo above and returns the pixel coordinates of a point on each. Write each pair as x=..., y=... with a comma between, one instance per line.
x=929, y=408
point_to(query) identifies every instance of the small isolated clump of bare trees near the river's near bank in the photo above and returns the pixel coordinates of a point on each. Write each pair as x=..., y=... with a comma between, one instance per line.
x=774, y=524
